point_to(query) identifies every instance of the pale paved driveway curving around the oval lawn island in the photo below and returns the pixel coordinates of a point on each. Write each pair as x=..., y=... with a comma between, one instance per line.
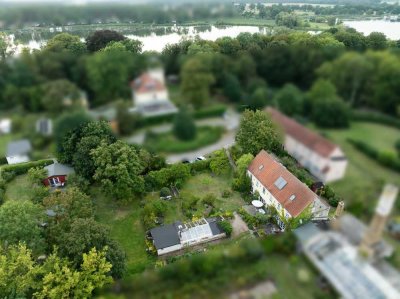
x=230, y=121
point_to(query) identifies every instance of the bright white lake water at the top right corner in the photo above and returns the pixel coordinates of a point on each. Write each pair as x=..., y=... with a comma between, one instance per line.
x=390, y=29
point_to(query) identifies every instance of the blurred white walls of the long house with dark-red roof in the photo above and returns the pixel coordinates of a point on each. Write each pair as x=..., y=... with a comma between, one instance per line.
x=327, y=169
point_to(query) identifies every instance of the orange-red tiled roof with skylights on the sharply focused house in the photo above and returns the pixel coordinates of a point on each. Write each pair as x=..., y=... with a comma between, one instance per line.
x=270, y=172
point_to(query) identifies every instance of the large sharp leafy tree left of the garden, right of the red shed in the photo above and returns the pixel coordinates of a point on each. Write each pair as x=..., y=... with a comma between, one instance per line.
x=118, y=168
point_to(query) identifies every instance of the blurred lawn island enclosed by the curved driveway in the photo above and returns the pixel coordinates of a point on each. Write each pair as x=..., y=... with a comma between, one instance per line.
x=168, y=143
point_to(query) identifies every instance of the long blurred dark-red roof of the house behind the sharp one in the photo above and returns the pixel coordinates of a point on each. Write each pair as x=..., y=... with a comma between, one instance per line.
x=302, y=134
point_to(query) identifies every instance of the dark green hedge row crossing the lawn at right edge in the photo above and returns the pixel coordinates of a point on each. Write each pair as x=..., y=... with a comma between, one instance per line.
x=387, y=159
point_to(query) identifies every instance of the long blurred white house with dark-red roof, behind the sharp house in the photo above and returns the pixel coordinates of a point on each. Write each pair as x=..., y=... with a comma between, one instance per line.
x=322, y=158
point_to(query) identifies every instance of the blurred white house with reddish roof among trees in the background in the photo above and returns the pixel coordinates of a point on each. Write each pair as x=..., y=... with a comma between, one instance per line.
x=150, y=95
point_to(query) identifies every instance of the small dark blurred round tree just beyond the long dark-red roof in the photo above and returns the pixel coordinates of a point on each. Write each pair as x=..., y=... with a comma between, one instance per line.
x=290, y=100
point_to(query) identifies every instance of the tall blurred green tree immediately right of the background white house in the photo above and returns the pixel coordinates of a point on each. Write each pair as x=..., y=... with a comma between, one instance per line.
x=196, y=81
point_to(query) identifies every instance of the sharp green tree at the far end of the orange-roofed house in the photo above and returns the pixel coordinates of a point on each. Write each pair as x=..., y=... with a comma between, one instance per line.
x=256, y=132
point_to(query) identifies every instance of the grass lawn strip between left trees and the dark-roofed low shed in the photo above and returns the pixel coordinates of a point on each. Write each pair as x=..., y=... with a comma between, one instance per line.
x=126, y=228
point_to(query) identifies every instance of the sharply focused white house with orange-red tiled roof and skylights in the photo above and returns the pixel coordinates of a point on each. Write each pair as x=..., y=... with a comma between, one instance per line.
x=282, y=190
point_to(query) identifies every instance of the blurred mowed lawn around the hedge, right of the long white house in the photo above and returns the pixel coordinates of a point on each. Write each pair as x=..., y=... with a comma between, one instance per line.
x=364, y=177
